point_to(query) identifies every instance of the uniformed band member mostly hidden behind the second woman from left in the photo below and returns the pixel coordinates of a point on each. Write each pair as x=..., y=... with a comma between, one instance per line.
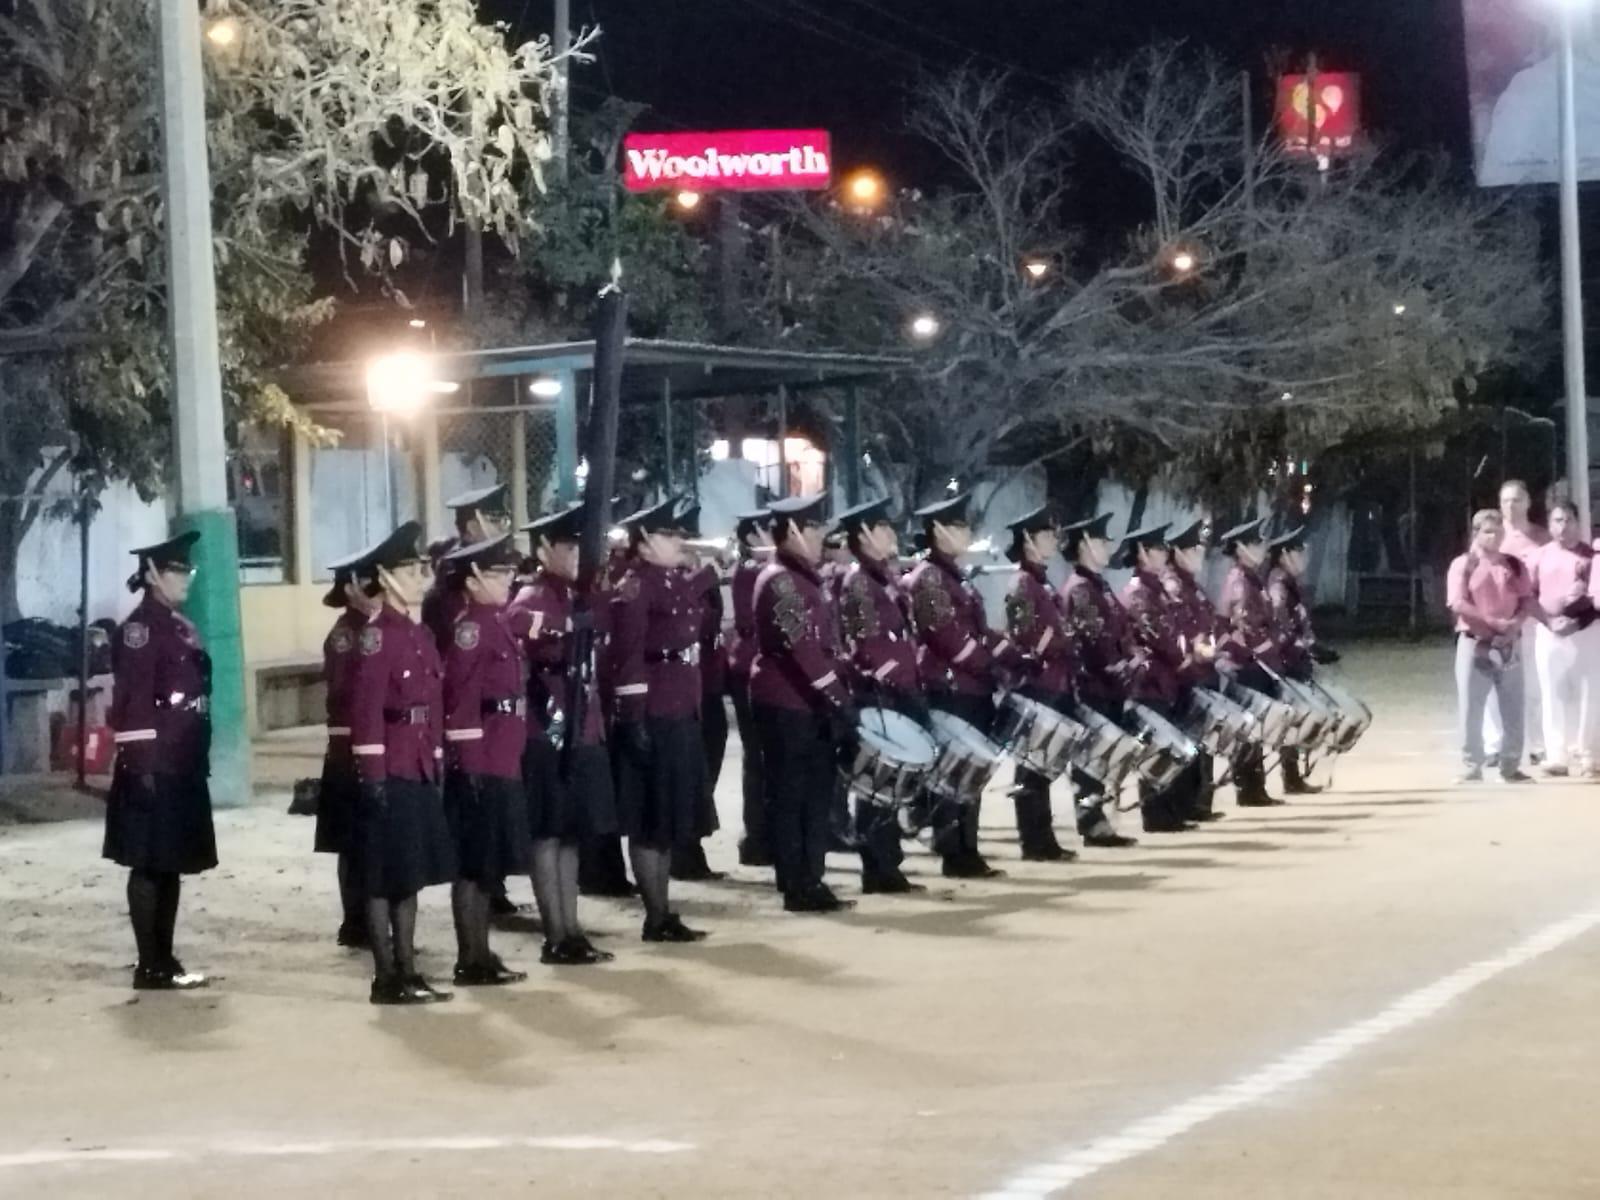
x=338, y=791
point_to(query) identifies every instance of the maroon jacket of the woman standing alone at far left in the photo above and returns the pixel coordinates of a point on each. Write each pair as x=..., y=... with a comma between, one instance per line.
x=161, y=694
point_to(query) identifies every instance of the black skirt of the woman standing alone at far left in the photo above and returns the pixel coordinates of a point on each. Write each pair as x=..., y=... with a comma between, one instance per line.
x=161, y=823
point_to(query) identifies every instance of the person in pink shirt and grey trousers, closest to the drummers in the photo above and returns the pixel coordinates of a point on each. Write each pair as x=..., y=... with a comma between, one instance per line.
x=1490, y=596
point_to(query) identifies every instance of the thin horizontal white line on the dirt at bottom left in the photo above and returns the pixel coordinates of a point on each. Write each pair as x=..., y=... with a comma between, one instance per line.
x=252, y=1150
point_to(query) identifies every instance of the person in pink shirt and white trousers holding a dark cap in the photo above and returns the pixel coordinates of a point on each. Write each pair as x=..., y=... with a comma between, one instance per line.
x=1566, y=646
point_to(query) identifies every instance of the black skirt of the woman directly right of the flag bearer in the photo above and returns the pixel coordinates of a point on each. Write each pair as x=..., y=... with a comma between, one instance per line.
x=663, y=802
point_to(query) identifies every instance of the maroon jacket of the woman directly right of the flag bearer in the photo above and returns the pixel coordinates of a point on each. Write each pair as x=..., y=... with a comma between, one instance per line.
x=655, y=644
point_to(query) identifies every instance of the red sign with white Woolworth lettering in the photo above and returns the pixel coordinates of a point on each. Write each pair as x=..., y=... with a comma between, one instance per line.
x=746, y=161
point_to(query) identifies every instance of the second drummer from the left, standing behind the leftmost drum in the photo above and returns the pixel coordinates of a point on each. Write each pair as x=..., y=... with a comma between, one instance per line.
x=882, y=670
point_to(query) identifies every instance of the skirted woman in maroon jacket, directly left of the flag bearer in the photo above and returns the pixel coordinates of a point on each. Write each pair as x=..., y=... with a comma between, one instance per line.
x=486, y=734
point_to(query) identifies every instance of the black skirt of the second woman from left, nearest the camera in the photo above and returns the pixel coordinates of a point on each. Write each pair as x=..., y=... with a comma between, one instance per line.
x=402, y=841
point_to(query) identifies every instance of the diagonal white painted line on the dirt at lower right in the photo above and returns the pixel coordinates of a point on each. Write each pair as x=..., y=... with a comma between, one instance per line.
x=1076, y=1164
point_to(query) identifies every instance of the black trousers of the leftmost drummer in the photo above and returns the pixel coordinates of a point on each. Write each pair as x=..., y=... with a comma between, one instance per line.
x=799, y=756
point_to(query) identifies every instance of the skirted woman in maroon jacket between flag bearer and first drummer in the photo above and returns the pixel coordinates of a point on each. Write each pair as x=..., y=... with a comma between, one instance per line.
x=657, y=694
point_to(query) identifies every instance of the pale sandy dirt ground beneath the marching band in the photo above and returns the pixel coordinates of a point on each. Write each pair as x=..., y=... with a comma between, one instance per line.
x=1097, y=1028
